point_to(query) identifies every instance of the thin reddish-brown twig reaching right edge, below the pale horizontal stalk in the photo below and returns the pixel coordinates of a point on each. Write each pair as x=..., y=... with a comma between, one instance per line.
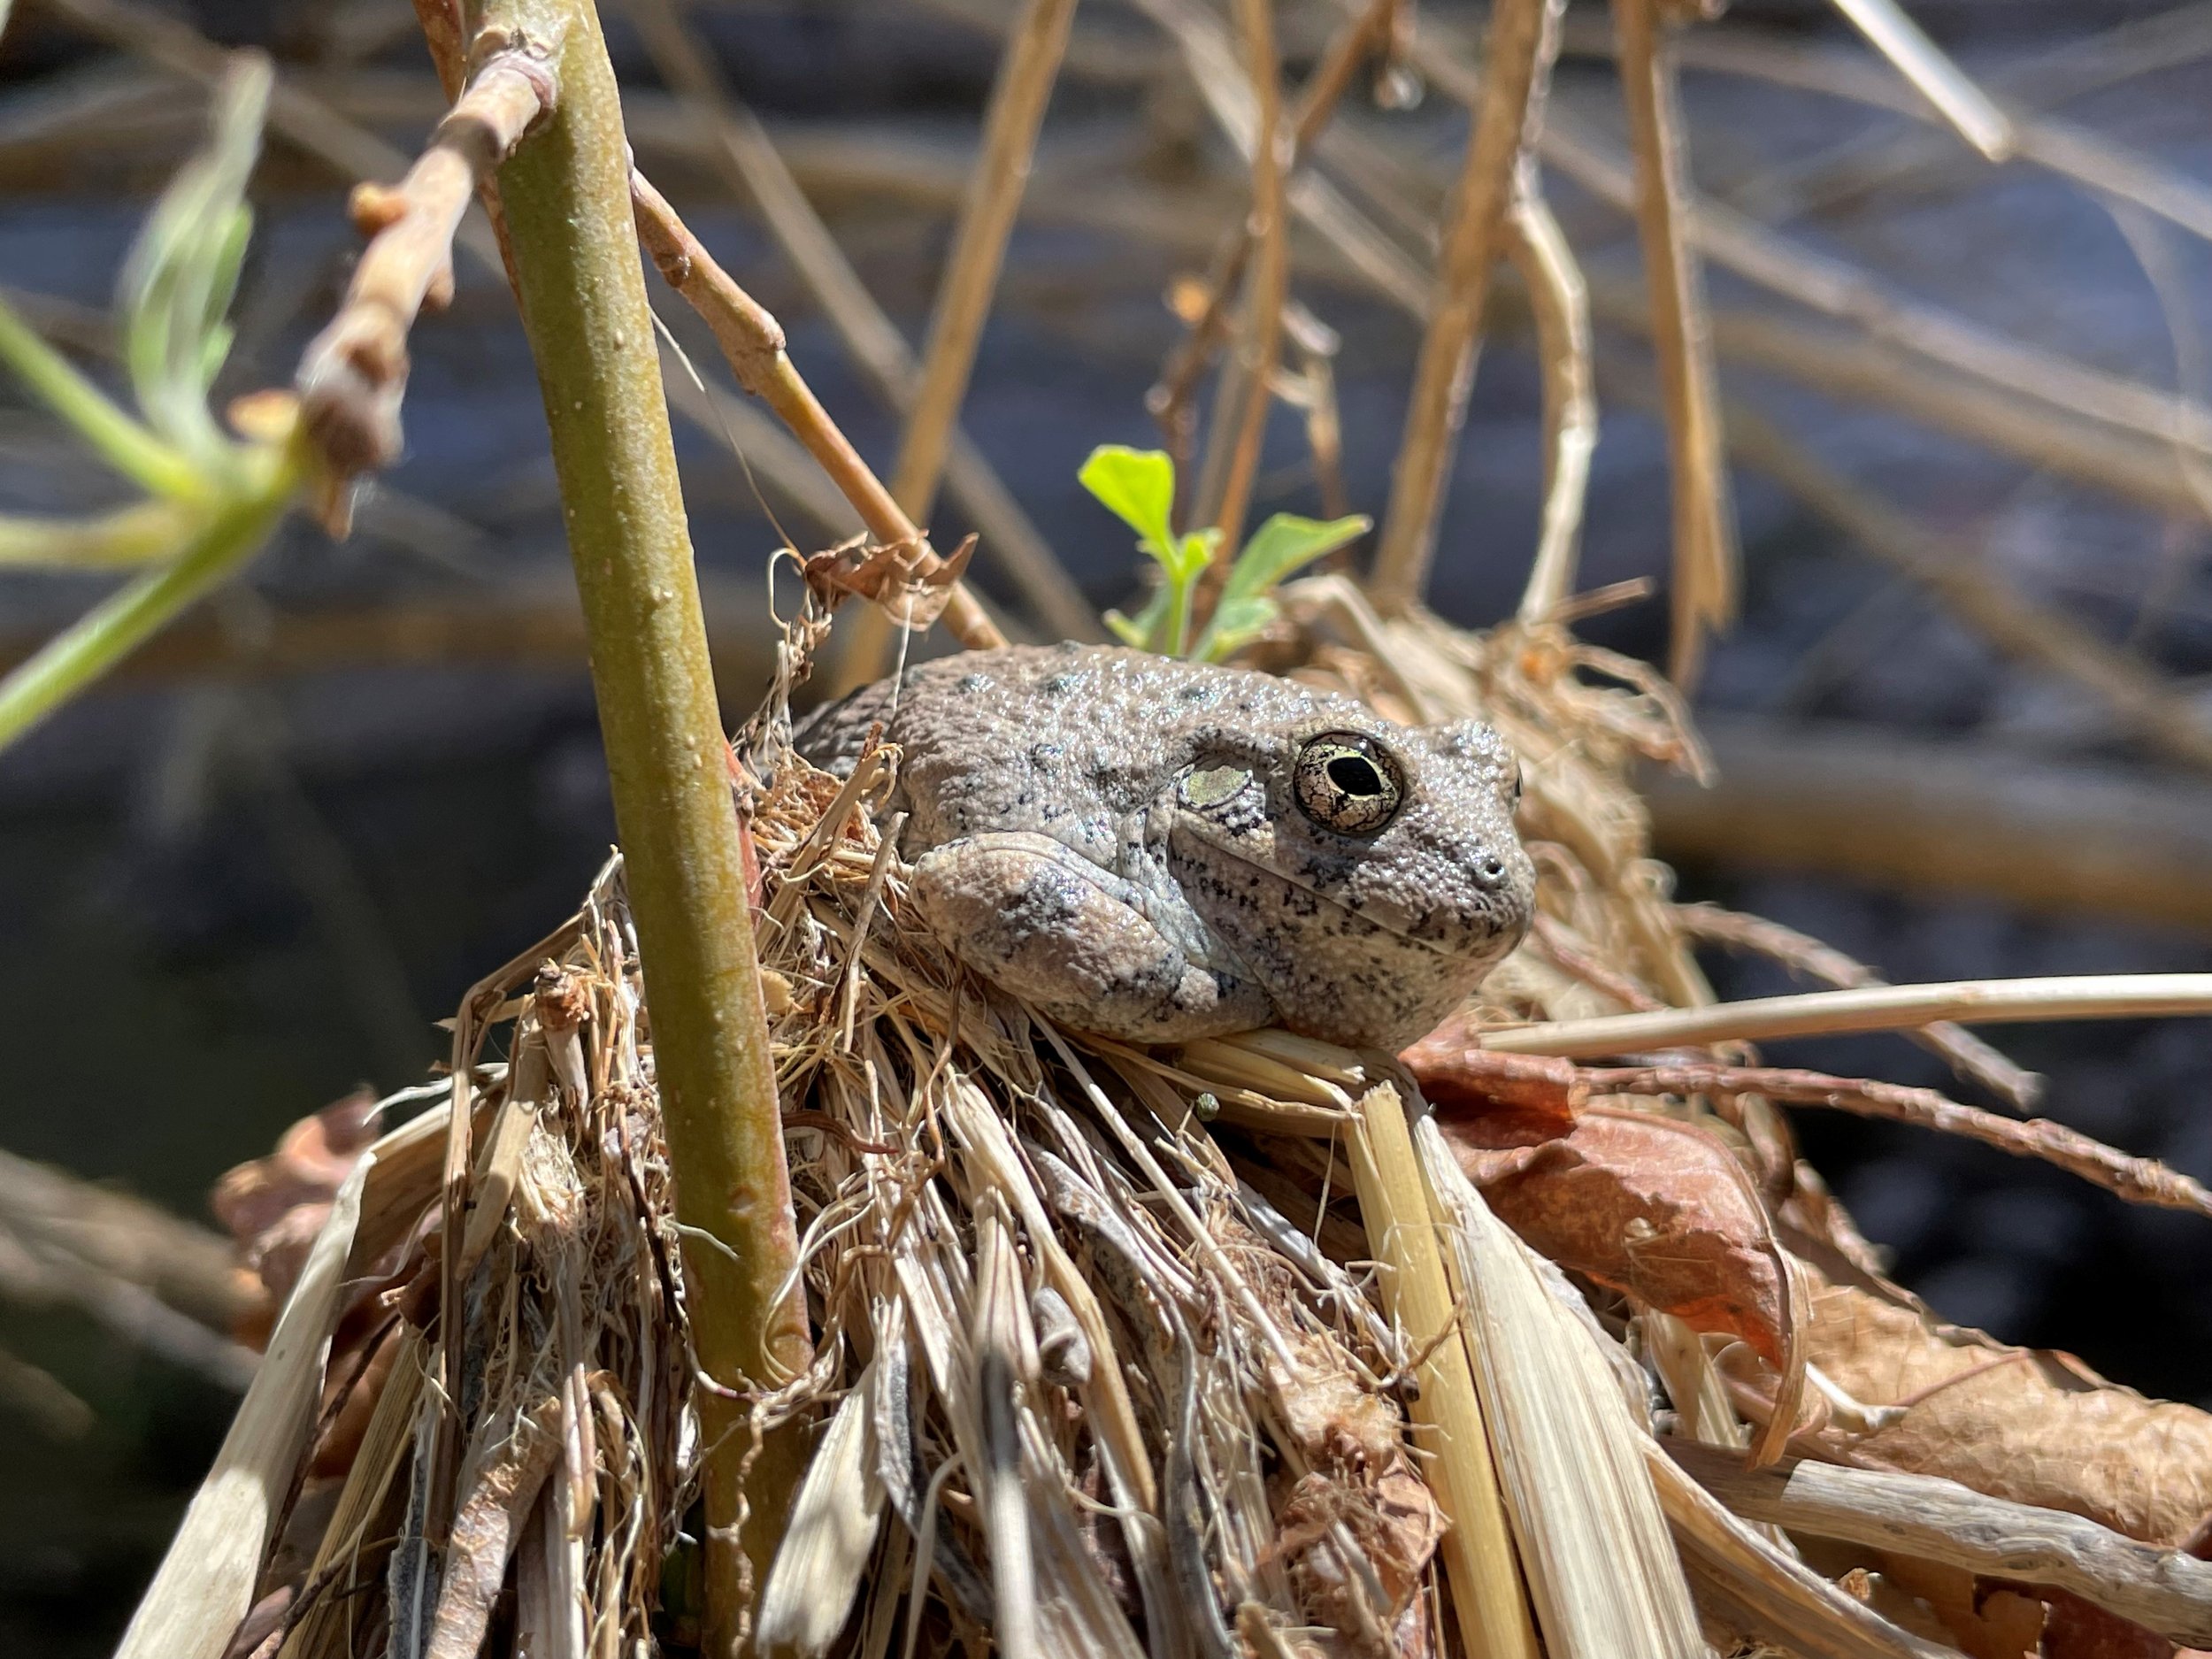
x=2140, y=1180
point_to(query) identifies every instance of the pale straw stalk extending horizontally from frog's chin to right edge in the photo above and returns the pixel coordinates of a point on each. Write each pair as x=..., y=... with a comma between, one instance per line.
x=1884, y=1008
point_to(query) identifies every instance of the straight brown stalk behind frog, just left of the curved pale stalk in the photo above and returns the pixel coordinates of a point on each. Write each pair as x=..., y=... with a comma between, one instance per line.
x=1516, y=59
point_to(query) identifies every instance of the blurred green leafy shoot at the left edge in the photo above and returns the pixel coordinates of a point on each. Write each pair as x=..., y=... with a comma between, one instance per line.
x=211, y=499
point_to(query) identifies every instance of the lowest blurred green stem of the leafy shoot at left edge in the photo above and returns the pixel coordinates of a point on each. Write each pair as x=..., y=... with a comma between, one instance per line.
x=127, y=618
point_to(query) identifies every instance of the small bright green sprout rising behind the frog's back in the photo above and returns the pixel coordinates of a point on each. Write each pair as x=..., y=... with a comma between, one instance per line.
x=1138, y=486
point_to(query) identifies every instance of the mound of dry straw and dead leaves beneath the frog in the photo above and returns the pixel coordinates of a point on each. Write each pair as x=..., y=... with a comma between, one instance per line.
x=1165, y=1353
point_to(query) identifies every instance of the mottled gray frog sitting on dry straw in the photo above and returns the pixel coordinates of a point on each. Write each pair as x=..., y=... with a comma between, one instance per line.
x=1120, y=839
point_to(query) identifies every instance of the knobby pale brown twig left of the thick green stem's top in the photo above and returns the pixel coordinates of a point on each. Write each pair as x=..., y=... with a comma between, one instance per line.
x=355, y=373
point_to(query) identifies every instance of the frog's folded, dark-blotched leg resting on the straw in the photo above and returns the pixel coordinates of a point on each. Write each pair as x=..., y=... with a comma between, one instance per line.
x=1076, y=941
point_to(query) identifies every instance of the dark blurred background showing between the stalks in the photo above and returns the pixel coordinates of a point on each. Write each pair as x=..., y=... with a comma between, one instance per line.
x=258, y=868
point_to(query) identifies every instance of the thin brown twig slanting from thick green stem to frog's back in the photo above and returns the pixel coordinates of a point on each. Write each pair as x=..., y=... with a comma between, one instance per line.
x=753, y=346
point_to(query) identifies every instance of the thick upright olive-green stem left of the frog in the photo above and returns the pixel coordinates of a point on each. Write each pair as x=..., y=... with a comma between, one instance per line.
x=567, y=198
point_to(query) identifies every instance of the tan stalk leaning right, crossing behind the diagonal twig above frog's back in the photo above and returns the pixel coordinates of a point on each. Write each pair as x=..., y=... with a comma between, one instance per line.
x=1036, y=41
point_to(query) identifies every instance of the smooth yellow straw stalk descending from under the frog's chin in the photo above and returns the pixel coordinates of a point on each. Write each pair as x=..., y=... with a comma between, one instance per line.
x=1488, y=1594
